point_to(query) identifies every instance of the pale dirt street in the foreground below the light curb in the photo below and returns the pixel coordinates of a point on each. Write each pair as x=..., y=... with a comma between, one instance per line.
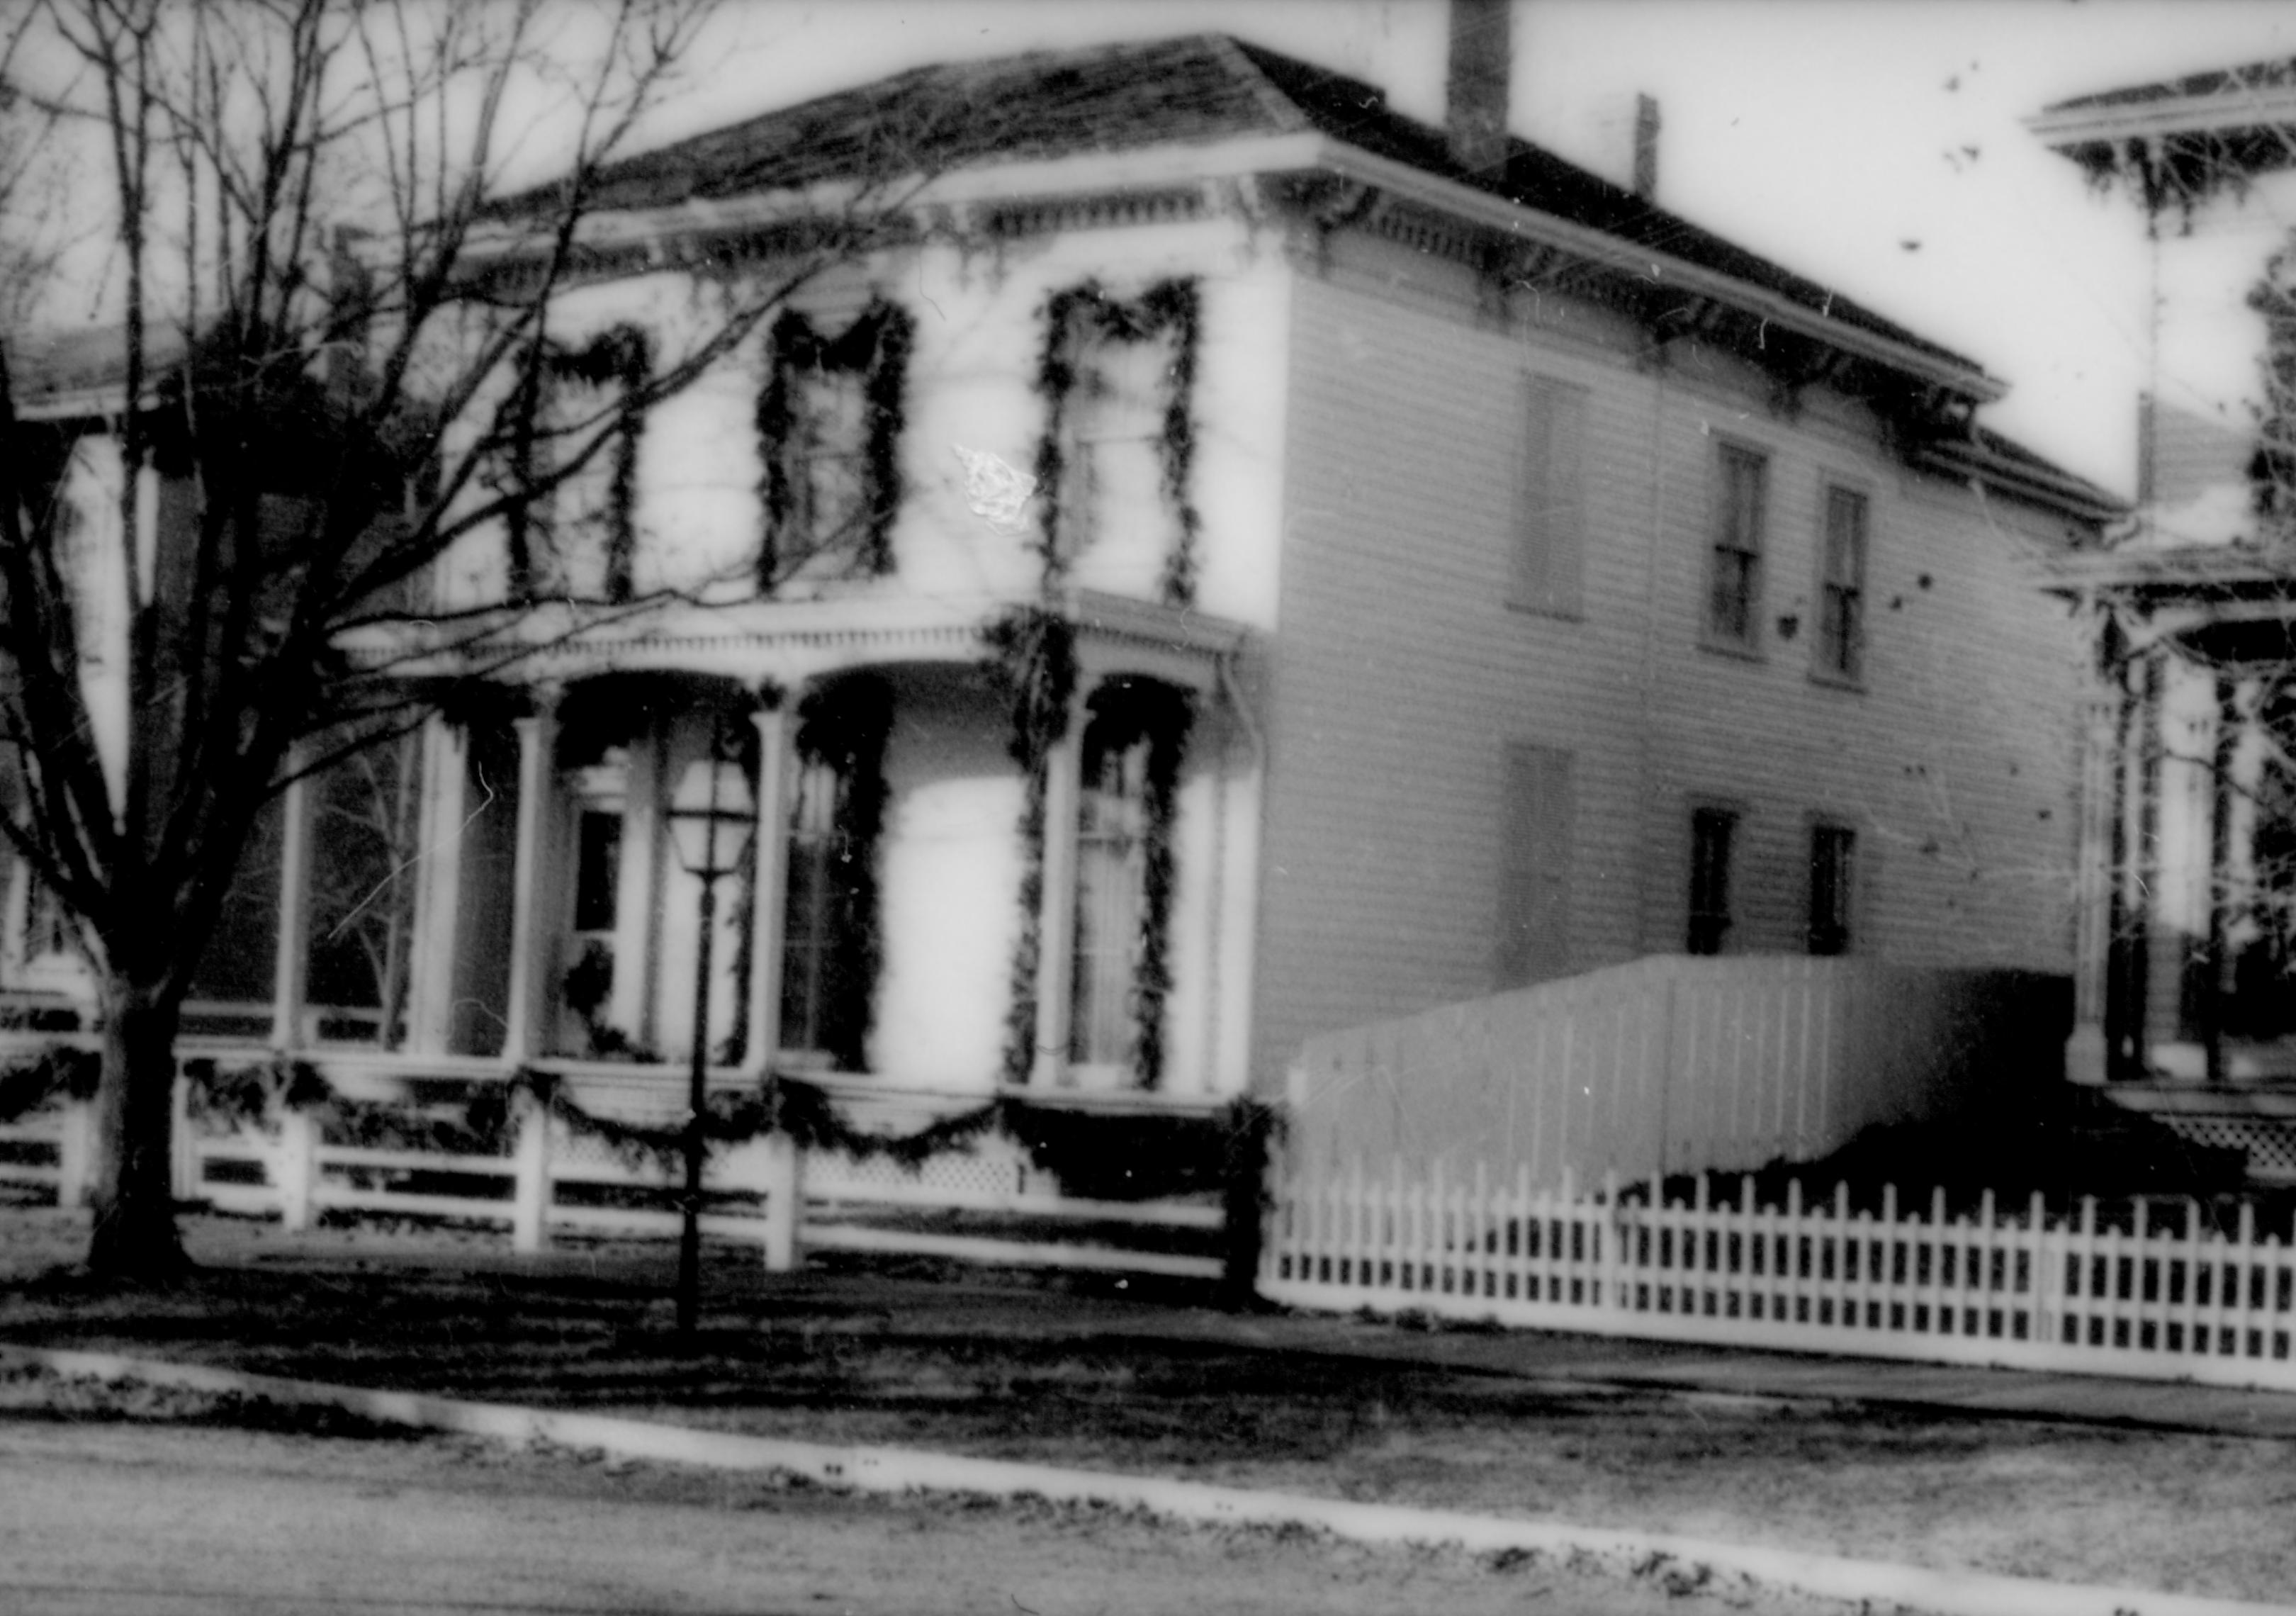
x=185, y=1521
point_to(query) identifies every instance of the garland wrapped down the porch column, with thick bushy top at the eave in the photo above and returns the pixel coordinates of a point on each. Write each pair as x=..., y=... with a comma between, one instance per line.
x=1034, y=662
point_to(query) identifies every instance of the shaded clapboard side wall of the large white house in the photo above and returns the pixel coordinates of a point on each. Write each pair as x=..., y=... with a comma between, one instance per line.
x=1436, y=747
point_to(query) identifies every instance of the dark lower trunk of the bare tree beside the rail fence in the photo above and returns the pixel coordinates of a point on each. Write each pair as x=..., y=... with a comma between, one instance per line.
x=132, y=1172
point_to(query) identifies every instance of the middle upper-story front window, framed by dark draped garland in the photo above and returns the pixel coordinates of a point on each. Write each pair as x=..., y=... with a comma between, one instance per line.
x=830, y=435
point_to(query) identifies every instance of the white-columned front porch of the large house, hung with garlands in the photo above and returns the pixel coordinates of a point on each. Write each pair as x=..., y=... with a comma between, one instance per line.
x=931, y=899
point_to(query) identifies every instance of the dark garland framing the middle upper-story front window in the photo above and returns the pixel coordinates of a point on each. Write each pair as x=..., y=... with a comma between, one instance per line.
x=878, y=350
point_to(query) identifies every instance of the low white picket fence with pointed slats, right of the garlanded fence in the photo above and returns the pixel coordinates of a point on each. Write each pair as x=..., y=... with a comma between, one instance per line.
x=2162, y=1298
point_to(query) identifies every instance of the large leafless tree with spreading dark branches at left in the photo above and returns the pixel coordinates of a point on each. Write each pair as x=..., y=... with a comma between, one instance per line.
x=336, y=343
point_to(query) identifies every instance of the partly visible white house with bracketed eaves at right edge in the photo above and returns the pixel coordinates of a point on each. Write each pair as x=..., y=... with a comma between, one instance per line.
x=2192, y=834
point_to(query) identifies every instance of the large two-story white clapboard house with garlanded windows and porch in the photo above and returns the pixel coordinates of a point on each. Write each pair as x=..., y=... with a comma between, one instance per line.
x=1468, y=570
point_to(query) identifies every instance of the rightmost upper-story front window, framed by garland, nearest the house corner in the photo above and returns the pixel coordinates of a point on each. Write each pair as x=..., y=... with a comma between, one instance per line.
x=1117, y=456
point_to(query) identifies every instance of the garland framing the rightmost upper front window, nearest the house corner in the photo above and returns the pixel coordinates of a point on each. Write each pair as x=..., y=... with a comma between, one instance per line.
x=1170, y=306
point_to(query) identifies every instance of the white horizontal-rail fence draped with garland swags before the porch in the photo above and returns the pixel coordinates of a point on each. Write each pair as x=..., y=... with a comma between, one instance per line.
x=552, y=1183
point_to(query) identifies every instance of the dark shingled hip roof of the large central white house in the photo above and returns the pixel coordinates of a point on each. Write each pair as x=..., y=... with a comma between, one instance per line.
x=1190, y=91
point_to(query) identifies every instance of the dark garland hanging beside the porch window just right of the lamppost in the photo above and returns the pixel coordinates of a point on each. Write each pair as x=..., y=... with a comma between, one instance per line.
x=846, y=727
